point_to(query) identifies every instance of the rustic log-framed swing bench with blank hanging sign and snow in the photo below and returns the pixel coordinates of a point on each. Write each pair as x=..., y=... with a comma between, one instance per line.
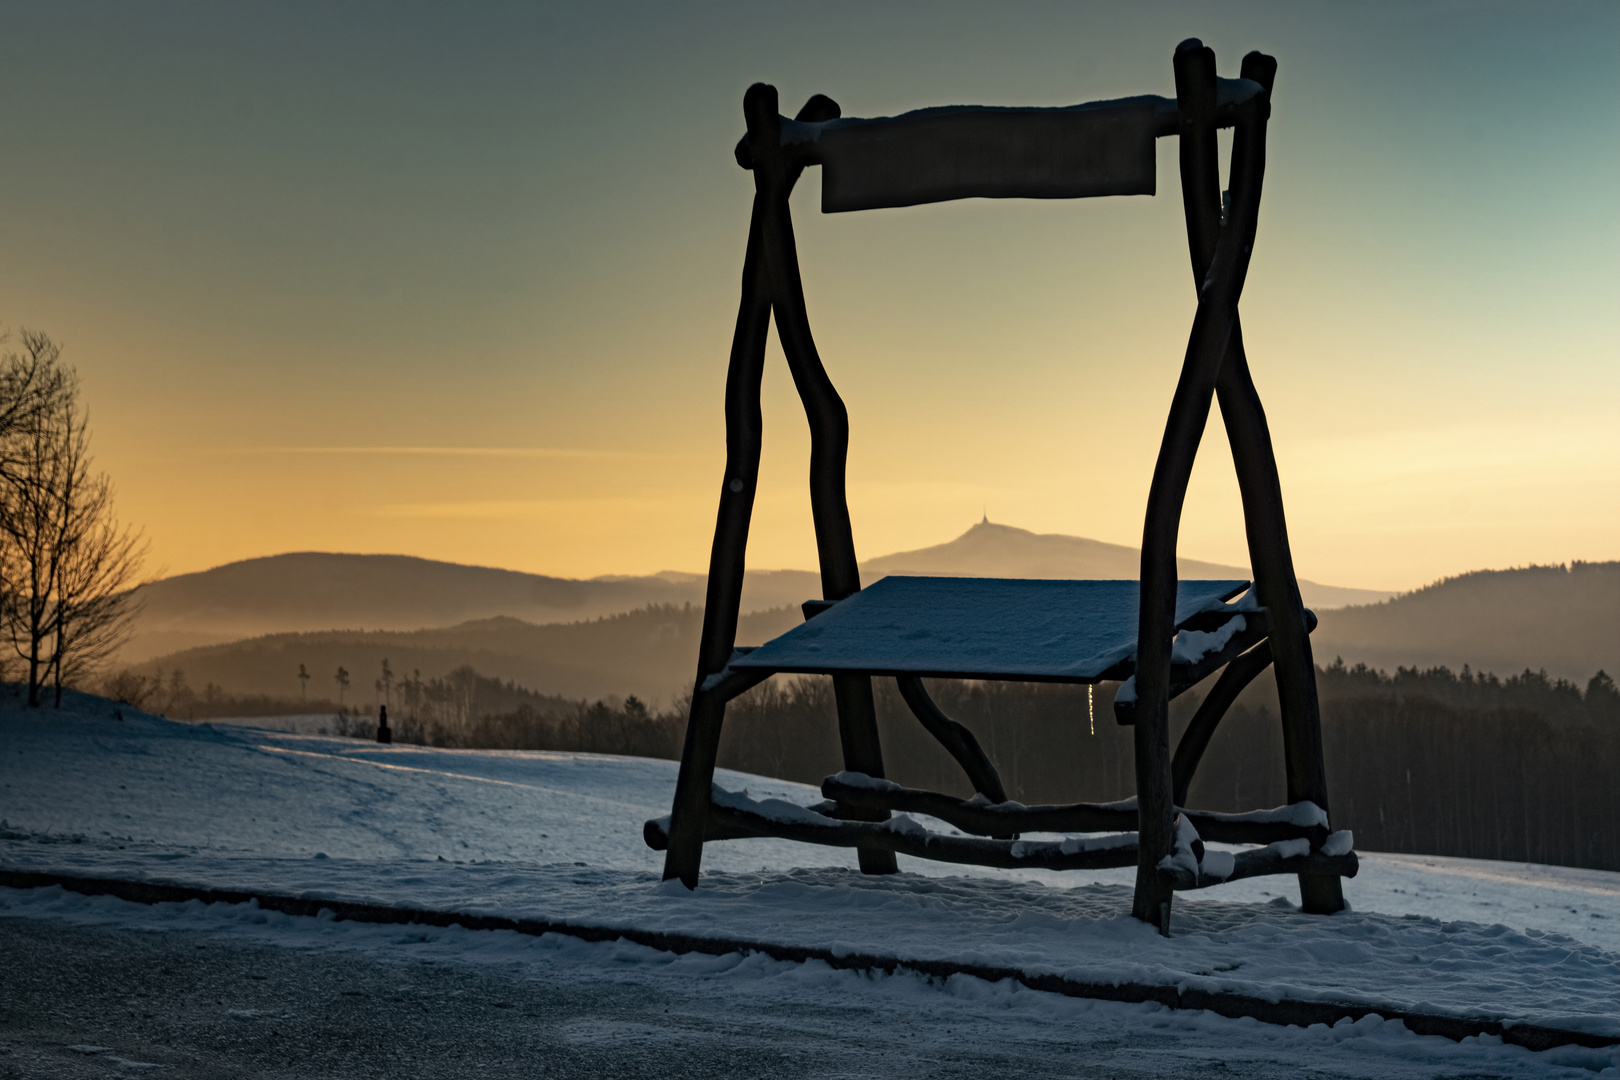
x=1159, y=636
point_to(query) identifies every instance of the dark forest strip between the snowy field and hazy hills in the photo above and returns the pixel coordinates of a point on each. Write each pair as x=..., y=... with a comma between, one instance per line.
x=1423, y=762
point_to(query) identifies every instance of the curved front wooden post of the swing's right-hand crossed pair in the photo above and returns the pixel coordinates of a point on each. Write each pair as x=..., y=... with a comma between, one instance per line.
x=1190, y=409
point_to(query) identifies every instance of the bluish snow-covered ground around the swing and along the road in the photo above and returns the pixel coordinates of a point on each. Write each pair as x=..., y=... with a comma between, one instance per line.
x=560, y=838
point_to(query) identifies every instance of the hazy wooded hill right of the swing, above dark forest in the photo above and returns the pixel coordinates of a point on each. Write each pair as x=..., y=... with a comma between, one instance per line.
x=1561, y=619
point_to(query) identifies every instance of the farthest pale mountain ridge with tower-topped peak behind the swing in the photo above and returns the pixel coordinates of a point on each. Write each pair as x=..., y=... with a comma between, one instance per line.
x=305, y=592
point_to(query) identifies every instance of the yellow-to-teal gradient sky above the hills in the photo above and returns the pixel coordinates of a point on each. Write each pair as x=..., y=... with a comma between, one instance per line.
x=458, y=281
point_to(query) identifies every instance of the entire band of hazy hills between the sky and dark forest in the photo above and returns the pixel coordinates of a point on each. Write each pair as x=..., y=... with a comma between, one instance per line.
x=247, y=626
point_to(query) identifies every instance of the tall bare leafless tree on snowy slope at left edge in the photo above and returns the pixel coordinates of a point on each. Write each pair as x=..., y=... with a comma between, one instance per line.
x=67, y=564
